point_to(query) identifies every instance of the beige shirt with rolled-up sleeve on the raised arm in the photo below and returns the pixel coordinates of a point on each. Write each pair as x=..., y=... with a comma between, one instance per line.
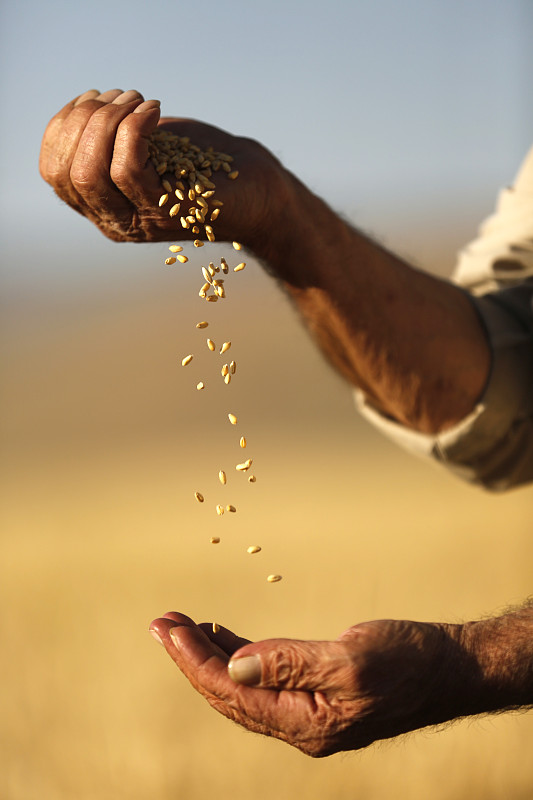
x=492, y=446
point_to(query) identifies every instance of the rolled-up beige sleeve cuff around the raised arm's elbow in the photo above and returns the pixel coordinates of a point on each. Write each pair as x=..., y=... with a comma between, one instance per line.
x=492, y=446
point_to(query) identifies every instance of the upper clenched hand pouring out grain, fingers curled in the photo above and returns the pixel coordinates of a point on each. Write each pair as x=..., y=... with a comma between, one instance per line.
x=95, y=155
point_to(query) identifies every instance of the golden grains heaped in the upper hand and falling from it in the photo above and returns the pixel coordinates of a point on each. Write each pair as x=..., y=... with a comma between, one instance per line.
x=186, y=172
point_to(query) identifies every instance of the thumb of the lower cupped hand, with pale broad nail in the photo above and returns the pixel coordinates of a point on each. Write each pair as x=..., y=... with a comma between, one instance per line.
x=292, y=664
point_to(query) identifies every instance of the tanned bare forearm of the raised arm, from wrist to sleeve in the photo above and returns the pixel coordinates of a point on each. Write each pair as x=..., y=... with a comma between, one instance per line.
x=412, y=342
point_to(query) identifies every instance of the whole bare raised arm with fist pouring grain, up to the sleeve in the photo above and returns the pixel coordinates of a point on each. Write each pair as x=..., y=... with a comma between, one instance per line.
x=413, y=343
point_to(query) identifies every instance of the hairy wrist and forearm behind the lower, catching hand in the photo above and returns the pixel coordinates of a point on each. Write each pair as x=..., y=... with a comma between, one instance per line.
x=424, y=674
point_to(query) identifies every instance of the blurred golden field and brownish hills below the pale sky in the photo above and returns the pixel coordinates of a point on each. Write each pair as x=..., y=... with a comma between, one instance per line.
x=105, y=441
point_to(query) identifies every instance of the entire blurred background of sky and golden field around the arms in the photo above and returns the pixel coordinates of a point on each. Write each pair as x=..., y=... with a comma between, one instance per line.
x=105, y=438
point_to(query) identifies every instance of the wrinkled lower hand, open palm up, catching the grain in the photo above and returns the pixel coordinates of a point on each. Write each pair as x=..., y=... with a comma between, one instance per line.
x=377, y=680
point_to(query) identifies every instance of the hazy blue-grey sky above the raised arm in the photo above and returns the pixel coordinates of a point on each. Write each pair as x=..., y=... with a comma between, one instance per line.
x=388, y=109
